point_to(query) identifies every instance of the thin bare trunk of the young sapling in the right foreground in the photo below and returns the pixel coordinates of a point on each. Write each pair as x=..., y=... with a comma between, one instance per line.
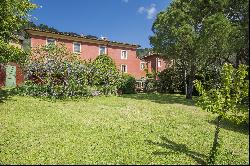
x=216, y=144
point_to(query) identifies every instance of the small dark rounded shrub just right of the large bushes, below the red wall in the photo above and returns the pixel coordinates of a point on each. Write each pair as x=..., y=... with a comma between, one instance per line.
x=128, y=84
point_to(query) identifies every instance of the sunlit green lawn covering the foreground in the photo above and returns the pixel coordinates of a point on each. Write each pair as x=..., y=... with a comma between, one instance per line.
x=131, y=129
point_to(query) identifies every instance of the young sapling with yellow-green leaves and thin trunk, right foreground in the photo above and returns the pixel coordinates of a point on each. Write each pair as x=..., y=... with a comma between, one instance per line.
x=225, y=100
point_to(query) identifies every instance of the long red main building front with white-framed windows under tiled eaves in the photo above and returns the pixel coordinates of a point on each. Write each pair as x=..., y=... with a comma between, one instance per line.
x=123, y=54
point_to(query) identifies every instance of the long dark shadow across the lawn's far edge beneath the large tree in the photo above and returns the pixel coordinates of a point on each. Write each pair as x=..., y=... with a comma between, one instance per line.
x=161, y=98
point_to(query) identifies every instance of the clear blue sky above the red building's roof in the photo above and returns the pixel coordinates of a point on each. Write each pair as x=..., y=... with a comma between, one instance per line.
x=119, y=20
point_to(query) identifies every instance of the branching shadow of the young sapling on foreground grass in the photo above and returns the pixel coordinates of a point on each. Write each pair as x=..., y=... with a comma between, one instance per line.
x=177, y=148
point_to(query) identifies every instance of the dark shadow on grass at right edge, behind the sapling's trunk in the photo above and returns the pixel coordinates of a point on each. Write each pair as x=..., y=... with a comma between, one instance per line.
x=232, y=126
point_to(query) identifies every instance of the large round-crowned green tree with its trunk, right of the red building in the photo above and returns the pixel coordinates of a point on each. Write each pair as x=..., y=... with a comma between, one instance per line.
x=197, y=33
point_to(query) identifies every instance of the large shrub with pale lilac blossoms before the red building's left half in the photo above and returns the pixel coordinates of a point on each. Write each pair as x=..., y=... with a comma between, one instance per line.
x=55, y=72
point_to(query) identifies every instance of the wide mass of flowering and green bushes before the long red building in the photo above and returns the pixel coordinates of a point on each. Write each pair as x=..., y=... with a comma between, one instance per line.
x=55, y=72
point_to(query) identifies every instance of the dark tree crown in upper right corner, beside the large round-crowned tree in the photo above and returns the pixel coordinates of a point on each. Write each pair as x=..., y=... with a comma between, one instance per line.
x=235, y=46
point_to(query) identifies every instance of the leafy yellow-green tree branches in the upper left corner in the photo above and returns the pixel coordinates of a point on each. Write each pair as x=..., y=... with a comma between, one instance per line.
x=13, y=15
